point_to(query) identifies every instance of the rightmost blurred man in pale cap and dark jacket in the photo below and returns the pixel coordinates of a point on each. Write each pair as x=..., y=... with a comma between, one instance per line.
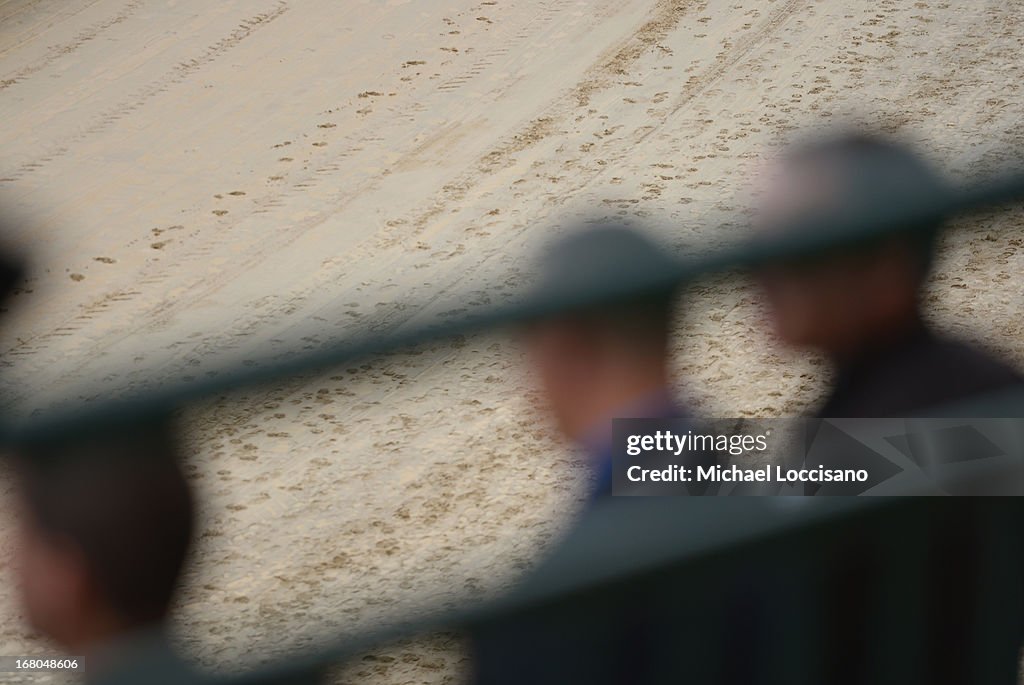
x=861, y=304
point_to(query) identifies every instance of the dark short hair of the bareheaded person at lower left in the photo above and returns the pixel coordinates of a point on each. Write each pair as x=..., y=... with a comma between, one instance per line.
x=120, y=497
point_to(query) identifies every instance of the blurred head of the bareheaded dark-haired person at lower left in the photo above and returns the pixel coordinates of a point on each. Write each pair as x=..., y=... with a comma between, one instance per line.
x=106, y=525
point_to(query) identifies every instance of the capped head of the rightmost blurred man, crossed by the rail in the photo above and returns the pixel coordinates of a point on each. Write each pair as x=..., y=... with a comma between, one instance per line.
x=841, y=301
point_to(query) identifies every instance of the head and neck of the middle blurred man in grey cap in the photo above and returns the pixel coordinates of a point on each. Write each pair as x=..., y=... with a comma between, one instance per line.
x=611, y=361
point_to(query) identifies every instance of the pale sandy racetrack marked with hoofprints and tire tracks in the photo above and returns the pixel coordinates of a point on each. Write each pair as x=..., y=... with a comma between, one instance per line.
x=208, y=183
